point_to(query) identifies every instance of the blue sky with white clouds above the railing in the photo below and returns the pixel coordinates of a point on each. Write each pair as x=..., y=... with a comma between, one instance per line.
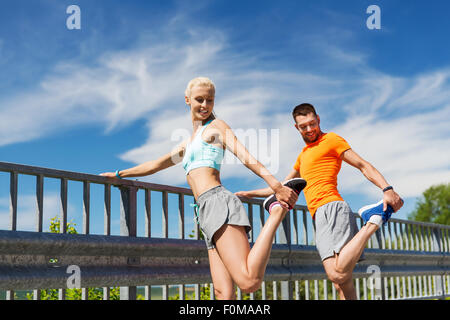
x=111, y=94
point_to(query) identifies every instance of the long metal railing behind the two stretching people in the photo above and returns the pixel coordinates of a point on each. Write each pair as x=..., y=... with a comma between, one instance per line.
x=403, y=260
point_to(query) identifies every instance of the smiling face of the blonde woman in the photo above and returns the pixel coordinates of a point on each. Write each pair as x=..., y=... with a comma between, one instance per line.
x=201, y=100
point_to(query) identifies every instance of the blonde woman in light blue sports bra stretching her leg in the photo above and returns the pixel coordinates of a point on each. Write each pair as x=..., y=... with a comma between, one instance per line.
x=221, y=215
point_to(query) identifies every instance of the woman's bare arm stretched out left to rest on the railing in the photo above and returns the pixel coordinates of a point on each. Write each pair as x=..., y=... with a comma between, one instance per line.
x=153, y=166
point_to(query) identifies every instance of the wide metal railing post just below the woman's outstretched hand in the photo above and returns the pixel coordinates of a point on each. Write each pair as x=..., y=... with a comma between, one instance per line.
x=128, y=228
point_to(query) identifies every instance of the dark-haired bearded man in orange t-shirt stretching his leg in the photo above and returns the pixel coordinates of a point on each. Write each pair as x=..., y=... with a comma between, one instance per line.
x=338, y=240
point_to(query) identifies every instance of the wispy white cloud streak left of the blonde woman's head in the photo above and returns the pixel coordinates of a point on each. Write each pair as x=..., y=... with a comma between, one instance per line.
x=121, y=88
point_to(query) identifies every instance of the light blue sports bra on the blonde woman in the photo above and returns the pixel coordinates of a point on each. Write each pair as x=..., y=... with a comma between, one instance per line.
x=199, y=153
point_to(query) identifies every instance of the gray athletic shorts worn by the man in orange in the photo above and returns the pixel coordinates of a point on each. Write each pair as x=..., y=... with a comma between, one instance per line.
x=335, y=226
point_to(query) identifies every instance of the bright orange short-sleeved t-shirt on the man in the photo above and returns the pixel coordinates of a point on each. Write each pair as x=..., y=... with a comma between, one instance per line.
x=319, y=164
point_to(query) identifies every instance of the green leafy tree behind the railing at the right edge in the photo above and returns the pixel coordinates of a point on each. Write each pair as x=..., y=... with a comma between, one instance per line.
x=433, y=205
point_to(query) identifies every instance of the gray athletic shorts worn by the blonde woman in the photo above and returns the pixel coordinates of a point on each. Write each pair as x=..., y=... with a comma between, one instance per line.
x=217, y=207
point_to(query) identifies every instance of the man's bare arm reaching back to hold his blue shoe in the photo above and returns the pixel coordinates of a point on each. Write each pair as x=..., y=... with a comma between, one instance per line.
x=373, y=175
